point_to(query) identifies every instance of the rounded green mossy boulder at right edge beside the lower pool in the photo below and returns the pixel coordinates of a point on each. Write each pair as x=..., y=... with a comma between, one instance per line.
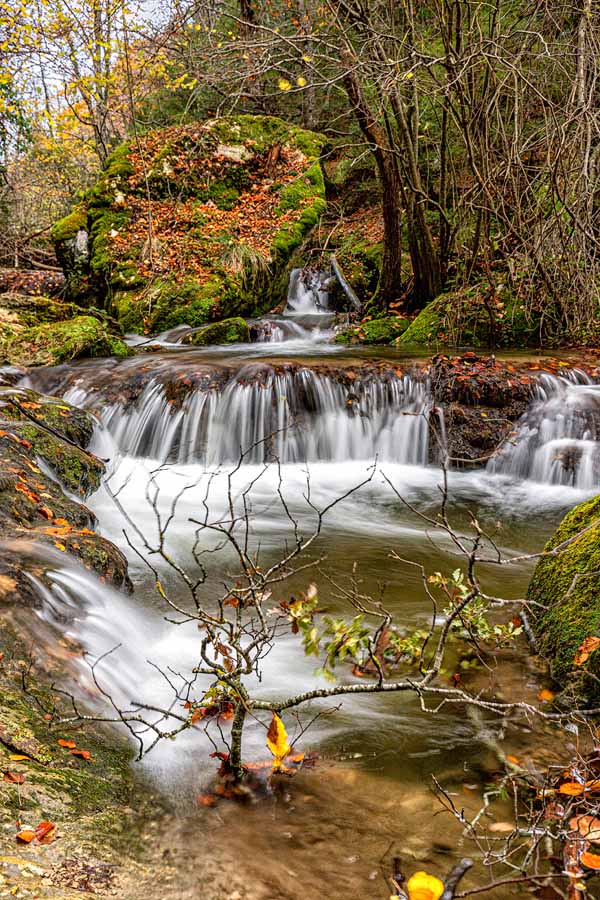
x=564, y=603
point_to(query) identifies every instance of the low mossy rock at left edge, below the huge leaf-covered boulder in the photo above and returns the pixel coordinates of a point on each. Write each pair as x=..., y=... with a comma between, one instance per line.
x=58, y=342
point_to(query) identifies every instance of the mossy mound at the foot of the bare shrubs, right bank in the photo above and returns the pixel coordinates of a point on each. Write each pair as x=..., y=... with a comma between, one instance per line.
x=471, y=317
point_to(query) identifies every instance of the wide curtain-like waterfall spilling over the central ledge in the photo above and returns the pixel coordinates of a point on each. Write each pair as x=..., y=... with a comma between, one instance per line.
x=297, y=415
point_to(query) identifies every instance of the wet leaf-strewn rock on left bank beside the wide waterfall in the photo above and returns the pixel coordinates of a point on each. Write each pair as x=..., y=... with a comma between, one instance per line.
x=42, y=451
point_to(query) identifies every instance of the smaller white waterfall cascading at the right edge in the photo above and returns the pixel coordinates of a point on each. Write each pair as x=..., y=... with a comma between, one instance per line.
x=556, y=440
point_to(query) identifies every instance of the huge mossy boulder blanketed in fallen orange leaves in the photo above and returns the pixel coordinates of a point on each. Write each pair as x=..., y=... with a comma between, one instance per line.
x=231, y=199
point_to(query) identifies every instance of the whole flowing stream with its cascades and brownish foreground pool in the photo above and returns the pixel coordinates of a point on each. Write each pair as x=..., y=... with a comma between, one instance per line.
x=173, y=423
